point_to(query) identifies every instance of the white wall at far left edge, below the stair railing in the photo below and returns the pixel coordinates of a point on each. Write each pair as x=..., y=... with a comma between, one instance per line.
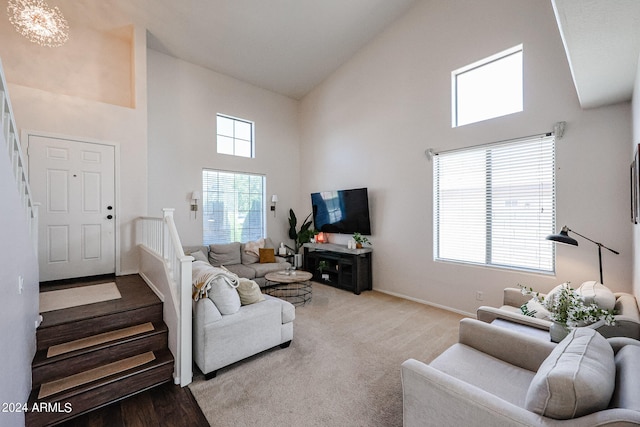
x=19, y=310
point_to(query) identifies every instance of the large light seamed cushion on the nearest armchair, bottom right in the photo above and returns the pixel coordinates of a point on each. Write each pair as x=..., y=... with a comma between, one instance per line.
x=578, y=377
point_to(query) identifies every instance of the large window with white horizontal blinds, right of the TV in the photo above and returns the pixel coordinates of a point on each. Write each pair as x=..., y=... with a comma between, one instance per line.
x=495, y=204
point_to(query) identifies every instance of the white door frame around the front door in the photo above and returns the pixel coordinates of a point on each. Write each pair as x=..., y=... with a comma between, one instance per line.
x=24, y=135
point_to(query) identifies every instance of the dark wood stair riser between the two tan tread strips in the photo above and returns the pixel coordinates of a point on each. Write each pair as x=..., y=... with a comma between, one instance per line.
x=59, y=366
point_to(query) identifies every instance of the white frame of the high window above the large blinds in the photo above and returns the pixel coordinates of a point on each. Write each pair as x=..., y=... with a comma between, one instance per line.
x=455, y=92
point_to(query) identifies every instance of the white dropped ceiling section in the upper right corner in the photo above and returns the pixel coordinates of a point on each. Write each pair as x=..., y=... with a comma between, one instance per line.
x=602, y=41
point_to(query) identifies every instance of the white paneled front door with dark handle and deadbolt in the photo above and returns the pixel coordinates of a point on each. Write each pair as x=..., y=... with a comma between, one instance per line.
x=75, y=183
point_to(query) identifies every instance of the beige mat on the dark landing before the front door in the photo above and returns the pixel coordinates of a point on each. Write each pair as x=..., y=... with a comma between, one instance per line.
x=73, y=297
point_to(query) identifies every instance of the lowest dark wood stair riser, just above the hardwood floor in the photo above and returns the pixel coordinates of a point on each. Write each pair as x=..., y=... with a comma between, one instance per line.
x=81, y=399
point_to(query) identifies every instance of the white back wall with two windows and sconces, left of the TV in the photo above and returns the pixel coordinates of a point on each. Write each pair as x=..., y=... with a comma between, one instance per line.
x=183, y=102
